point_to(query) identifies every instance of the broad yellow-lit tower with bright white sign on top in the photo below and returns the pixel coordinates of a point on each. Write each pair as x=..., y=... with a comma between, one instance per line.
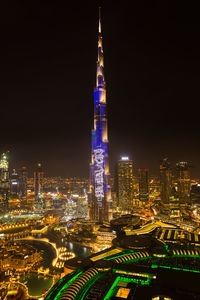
x=125, y=183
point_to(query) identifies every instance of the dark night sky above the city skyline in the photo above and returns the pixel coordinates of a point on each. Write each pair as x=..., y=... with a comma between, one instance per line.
x=48, y=59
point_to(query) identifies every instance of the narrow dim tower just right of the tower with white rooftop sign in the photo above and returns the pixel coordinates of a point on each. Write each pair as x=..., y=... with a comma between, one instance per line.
x=143, y=185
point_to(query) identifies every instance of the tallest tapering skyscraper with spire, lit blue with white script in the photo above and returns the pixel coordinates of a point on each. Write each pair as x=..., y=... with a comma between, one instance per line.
x=100, y=194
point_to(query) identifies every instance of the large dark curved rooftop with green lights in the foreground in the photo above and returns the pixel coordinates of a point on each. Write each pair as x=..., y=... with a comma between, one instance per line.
x=155, y=268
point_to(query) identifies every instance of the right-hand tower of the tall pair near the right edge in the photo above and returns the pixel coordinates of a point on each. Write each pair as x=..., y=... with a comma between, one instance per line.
x=183, y=182
